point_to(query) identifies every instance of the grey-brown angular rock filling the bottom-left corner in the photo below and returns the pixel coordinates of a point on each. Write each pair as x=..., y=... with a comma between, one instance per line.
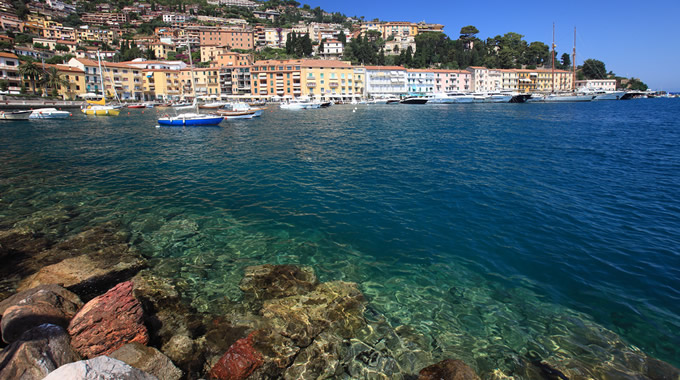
x=36, y=353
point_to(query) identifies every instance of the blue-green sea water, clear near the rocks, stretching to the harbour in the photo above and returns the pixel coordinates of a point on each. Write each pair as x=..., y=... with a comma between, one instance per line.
x=494, y=230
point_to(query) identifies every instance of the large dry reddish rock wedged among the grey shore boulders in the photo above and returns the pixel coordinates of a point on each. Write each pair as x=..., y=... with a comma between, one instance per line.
x=108, y=322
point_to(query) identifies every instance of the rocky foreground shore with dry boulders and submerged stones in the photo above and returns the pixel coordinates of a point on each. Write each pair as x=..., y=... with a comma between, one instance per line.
x=91, y=306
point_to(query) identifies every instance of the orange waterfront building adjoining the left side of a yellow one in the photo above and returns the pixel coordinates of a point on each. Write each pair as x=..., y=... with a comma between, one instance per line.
x=276, y=78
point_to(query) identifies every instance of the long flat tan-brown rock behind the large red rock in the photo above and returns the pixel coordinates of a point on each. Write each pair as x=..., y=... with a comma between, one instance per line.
x=88, y=275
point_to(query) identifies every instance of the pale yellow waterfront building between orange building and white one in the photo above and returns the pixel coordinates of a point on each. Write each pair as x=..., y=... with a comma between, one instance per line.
x=329, y=79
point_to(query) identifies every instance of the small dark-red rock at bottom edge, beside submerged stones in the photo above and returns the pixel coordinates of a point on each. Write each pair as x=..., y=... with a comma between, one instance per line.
x=240, y=360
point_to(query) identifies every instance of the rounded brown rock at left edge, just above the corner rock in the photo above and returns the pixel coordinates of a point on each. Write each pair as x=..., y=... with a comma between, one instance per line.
x=44, y=304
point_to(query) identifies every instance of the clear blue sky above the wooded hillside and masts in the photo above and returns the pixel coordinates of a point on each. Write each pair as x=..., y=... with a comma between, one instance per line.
x=633, y=38
